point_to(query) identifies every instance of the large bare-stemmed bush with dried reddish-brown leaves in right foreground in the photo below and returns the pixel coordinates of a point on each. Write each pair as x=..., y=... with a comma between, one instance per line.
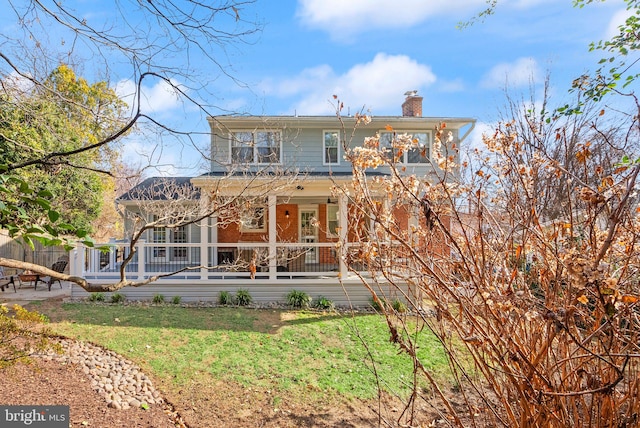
x=536, y=306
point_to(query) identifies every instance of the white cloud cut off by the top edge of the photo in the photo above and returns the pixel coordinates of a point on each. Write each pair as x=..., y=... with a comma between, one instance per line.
x=343, y=18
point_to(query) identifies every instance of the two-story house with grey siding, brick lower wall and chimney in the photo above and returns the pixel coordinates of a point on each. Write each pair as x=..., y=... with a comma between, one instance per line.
x=284, y=237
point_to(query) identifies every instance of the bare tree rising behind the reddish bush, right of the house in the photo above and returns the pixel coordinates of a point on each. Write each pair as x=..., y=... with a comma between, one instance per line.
x=557, y=137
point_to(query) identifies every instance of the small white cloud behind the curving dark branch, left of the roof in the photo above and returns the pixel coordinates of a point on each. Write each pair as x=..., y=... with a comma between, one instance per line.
x=159, y=98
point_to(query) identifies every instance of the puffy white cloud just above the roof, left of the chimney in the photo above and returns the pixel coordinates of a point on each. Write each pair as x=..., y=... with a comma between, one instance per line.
x=378, y=85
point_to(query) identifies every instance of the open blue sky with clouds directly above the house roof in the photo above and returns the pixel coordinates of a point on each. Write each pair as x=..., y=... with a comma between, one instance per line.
x=371, y=52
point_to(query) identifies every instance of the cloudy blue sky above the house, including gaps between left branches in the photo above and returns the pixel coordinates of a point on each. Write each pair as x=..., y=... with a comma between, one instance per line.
x=369, y=53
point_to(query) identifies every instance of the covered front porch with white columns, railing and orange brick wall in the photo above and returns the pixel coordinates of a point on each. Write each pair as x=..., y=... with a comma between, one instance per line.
x=299, y=239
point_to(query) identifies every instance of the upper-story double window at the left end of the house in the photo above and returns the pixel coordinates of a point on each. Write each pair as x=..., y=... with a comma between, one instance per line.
x=256, y=147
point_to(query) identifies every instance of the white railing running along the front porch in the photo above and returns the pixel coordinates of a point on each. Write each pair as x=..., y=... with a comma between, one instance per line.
x=221, y=261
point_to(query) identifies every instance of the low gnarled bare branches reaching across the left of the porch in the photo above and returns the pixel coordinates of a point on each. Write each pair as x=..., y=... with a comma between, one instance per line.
x=170, y=203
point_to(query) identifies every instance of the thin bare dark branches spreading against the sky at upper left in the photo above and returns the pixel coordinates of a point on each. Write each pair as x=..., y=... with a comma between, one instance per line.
x=150, y=42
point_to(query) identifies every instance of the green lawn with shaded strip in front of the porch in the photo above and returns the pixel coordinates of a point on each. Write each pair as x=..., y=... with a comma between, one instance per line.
x=296, y=352
